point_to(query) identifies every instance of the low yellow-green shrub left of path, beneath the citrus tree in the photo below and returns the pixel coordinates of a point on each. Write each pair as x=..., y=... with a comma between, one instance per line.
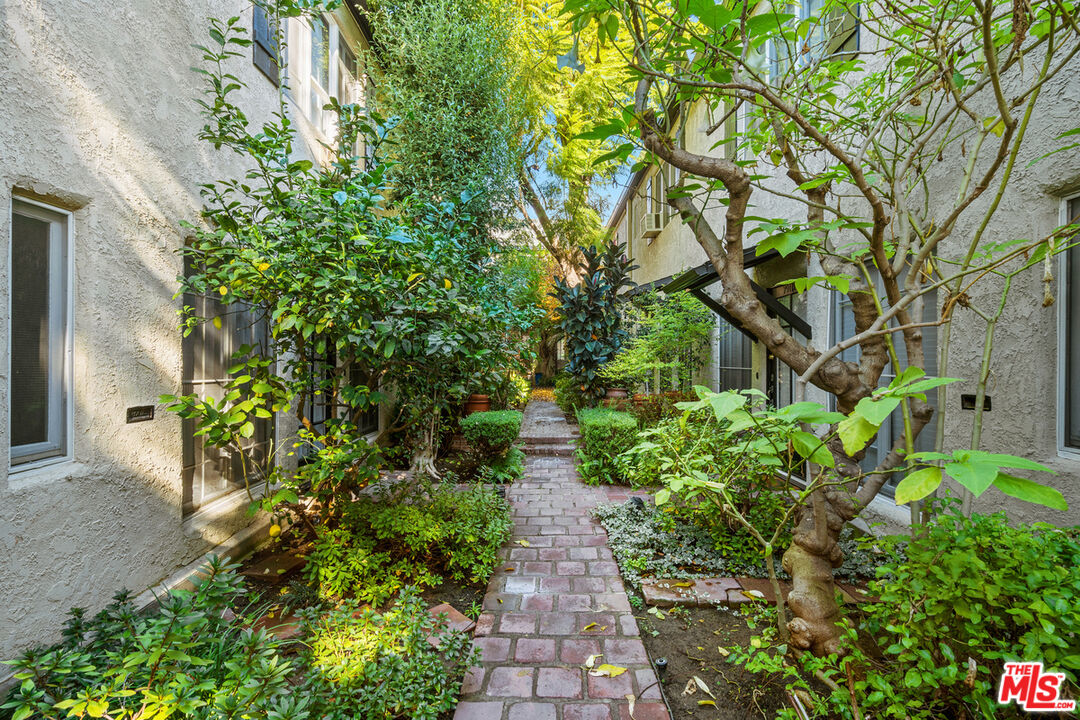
x=382, y=547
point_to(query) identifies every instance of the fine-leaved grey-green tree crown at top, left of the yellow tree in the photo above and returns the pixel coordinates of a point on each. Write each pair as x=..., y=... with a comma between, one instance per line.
x=449, y=71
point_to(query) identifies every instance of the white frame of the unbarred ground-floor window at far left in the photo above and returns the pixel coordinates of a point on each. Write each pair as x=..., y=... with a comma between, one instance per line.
x=63, y=423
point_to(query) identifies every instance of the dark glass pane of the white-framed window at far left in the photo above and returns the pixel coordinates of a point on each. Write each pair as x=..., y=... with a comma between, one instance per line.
x=31, y=331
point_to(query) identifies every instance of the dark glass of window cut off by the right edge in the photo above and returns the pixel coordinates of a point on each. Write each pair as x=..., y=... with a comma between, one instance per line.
x=1071, y=337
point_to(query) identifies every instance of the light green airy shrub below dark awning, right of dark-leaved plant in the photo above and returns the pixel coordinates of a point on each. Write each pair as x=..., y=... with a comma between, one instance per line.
x=669, y=344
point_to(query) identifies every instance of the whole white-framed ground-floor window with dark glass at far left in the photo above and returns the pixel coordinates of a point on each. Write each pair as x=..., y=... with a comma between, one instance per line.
x=40, y=334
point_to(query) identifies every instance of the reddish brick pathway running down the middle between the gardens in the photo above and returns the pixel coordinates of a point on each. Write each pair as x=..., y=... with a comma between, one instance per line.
x=558, y=579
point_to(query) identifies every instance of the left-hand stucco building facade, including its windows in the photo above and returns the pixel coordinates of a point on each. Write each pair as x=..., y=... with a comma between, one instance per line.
x=100, y=164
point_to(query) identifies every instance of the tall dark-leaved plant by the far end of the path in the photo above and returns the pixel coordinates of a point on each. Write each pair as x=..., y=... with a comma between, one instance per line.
x=589, y=315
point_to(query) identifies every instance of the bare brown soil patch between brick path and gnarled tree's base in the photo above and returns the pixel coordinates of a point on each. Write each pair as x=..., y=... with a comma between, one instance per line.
x=691, y=641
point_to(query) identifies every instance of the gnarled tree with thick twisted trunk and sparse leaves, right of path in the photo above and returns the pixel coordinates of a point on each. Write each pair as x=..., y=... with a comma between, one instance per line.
x=854, y=143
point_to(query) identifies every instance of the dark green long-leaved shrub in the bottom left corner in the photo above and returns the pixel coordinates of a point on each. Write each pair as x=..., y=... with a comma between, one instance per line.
x=191, y=661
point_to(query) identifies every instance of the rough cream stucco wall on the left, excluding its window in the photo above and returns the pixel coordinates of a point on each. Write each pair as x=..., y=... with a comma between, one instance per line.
x=100, y=118
